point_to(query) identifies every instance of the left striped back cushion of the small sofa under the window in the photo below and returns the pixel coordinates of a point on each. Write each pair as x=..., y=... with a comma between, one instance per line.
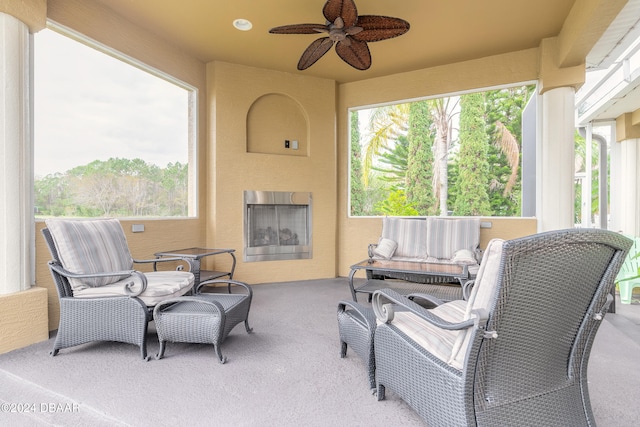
x=410, y=234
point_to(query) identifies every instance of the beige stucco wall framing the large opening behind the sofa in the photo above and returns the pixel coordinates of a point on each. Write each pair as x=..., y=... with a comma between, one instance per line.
x=354, y=234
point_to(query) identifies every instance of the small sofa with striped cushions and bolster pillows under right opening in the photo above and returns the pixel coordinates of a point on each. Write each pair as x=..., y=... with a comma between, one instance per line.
x=429, y=240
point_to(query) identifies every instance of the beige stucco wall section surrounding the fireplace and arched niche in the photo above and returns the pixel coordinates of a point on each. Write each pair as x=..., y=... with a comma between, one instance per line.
x=233, y=89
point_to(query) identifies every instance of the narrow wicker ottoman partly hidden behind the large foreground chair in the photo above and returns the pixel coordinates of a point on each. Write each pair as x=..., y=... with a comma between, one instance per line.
x=356, y=325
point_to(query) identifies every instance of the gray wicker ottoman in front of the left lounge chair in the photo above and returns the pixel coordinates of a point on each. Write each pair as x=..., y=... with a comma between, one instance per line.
x=201, y=318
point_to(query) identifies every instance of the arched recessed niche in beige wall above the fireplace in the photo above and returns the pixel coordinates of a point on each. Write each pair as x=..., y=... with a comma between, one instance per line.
x=277, y=124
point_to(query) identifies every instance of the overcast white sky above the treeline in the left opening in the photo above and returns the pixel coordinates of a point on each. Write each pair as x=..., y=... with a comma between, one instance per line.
x=90, y=106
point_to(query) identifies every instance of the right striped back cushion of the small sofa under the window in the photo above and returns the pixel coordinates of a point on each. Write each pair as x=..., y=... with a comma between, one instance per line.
x=448, y=235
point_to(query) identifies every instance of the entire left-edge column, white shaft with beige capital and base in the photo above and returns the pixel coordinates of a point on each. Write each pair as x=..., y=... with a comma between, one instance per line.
x=23, y=307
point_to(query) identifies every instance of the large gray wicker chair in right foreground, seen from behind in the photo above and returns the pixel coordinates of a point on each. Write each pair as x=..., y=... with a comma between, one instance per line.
x=519, y=349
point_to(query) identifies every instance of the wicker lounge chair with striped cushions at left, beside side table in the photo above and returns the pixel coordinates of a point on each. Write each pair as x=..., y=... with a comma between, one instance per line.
x=102, y=298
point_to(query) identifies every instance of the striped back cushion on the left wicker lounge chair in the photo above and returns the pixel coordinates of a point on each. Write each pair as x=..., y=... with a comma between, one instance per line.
x=91, y=246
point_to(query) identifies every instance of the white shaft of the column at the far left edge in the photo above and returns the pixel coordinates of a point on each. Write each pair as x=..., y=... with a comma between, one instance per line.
x=16, y=215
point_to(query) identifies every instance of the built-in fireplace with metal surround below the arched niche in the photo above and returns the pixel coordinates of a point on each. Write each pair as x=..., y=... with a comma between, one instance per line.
x=277, y=225
